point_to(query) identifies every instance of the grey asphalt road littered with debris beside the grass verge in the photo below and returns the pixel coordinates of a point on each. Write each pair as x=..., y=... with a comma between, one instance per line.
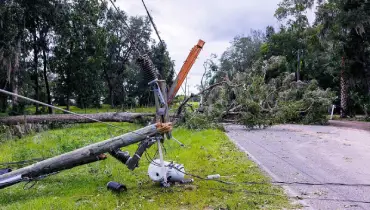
x=331, y=163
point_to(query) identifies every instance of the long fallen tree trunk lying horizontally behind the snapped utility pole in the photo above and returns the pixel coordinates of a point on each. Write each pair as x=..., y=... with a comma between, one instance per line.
x=69, y=118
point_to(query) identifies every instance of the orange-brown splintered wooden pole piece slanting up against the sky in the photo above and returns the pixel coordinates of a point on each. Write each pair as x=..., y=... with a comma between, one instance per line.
x=190, y=60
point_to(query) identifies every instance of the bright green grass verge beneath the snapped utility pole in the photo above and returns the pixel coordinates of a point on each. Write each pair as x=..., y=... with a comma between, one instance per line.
x=206, y=152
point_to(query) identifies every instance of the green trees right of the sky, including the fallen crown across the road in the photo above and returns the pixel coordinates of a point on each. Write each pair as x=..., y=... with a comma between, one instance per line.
x=332, y=53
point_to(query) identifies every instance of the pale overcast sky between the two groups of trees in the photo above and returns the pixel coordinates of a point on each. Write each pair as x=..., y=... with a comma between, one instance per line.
x=182, y=23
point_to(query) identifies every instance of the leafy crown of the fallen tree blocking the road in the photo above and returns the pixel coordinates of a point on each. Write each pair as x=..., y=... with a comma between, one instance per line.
x=255, y=100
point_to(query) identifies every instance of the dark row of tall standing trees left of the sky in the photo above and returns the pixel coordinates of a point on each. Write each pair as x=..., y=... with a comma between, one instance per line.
x=81, y=51
